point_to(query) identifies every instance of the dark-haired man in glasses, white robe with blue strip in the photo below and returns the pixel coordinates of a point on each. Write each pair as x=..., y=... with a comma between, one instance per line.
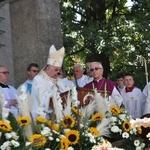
x=32, y=71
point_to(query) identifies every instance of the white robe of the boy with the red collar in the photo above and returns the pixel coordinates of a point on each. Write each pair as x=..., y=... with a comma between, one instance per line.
x=133, y=102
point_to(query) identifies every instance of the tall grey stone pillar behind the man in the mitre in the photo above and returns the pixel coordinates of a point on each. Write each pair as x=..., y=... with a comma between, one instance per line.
x=34, y=26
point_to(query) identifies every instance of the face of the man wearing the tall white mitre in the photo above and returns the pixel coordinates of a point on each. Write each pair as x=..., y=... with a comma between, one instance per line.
x=53, y=71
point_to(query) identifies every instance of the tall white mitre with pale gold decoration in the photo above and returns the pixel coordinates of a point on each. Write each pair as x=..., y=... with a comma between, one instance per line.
x=55, y=57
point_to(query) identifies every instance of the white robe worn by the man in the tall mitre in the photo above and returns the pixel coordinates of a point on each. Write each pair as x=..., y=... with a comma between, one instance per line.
x=43, y=89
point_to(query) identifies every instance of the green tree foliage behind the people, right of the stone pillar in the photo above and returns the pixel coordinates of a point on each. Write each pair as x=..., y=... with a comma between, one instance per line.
x=93, y=29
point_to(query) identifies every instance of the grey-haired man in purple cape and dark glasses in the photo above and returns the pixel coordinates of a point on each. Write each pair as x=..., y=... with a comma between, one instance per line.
x=104, y=85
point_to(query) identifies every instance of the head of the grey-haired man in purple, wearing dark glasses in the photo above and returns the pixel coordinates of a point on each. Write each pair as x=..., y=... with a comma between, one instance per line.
x=96, y=71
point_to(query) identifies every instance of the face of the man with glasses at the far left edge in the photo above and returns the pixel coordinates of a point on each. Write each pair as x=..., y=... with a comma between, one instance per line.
x=3, y=75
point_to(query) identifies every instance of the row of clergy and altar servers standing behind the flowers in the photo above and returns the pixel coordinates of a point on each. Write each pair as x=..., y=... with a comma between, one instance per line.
x=41, y=85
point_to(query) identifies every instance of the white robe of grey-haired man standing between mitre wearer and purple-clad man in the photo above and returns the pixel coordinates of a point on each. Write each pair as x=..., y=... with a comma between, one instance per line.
x=83, y=80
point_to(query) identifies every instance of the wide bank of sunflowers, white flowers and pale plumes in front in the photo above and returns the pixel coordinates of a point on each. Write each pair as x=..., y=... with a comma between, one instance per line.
x=68, y=128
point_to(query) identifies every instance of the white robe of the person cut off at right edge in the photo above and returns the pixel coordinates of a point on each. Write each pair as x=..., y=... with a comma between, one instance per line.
x=146, y=93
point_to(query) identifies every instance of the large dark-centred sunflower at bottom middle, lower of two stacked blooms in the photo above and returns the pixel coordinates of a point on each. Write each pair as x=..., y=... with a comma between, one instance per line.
x=72, y=137
